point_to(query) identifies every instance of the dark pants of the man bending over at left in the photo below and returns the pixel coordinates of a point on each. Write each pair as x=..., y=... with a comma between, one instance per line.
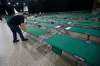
x=15, y=30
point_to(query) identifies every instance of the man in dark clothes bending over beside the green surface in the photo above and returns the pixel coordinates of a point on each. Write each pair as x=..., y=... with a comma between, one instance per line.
x=14, y=23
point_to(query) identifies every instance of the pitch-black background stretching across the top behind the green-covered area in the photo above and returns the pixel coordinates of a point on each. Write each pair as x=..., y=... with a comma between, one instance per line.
x=46, y=5
